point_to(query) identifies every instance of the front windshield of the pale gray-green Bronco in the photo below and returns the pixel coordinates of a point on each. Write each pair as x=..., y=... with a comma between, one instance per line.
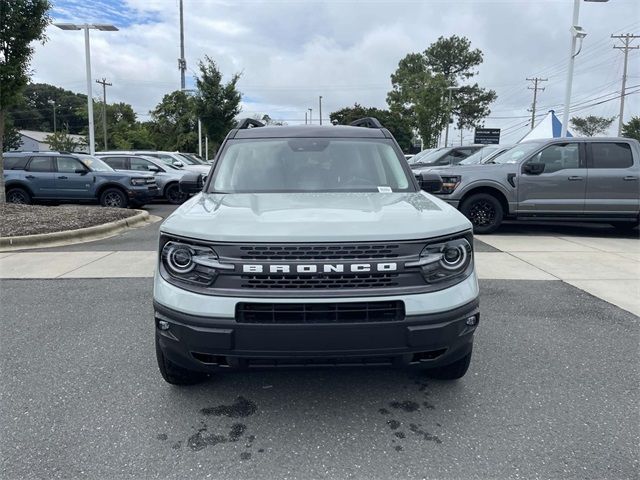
x=310, y=165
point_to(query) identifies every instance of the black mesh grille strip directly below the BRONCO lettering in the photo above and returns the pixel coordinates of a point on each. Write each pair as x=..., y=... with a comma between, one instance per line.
x=355, y=280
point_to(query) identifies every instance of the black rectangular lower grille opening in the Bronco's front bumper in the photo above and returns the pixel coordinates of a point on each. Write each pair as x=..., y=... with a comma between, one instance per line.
x=356, y=312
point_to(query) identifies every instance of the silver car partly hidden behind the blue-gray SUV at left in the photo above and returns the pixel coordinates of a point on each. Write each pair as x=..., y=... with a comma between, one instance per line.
x=167, y=176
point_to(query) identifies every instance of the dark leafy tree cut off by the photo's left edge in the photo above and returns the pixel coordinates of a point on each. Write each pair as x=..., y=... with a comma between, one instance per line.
x=22, y=22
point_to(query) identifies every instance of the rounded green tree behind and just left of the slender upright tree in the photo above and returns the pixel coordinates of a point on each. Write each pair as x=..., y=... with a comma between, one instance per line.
x=175, y=122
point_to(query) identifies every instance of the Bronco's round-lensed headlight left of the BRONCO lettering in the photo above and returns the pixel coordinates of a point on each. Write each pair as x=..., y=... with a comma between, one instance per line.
x=193, y=264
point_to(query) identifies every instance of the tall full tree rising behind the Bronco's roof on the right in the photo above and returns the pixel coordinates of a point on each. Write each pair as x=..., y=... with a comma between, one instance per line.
x=420, y=88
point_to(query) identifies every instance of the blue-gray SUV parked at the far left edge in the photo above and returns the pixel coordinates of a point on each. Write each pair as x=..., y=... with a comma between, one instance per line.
x=73, y=177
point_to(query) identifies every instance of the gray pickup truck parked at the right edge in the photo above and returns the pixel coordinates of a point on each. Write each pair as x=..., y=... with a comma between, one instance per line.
x=568, y=179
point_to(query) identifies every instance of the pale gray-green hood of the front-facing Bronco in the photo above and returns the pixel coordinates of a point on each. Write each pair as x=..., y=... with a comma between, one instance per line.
x=314, y=217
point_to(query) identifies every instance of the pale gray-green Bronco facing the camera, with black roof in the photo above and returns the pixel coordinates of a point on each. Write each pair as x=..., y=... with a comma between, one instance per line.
x=313, y=245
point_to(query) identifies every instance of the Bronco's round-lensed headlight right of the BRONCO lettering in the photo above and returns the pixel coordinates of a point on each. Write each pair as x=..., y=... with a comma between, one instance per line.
x=446, y=260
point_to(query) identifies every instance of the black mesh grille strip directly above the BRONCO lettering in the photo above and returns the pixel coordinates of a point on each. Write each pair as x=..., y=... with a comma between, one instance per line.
x=319, y=252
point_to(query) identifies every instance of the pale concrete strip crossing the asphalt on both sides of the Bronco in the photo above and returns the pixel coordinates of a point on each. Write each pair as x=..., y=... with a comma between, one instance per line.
x=607, y=268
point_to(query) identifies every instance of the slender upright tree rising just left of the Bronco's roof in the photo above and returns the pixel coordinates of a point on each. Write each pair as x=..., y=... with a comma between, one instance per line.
x=217, y=104
